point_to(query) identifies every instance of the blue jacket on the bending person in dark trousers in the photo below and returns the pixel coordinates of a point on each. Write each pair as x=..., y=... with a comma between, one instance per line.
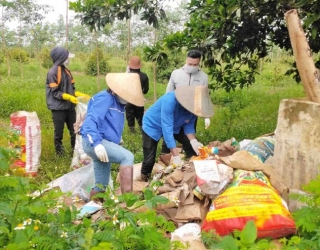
x=165, y=118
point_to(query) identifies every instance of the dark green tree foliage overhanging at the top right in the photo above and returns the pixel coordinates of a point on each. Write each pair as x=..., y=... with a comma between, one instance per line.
x=234, y=35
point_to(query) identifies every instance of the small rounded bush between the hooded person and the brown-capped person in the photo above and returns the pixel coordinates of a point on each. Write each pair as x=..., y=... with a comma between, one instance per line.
x=91, y=65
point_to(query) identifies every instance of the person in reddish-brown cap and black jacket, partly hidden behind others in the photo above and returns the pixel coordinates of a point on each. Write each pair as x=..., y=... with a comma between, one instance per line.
x=134, y=112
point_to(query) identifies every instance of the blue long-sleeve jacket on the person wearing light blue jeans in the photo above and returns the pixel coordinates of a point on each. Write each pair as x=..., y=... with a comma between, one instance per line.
x=104, y=119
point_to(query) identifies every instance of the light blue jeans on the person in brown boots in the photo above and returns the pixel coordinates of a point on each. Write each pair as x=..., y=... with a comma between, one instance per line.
x=116, y=154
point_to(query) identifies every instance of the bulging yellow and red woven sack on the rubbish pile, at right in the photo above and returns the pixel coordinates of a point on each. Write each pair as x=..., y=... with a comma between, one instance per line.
x=250, y=197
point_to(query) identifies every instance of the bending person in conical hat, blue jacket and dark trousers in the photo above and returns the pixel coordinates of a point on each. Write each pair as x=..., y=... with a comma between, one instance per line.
x=165, y=118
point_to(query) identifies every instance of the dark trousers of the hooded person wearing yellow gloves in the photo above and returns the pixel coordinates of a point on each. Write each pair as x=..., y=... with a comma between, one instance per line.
x=59, y=118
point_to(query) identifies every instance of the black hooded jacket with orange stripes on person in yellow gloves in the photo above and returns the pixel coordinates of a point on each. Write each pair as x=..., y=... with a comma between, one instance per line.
x=59, y=81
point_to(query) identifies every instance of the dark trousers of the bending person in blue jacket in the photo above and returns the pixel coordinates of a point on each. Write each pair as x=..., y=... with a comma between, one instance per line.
x=149, y=146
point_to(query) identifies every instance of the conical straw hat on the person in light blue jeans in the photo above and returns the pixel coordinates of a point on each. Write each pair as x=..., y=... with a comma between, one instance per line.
x=127, y=86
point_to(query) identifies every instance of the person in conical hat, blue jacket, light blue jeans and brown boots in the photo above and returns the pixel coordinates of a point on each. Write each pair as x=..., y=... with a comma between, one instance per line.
x=103, y=126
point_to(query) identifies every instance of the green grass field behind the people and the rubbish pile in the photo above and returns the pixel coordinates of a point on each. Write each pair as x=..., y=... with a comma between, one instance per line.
x=243, y=114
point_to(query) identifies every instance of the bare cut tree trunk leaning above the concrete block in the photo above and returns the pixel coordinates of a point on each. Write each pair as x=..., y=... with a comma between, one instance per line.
x=308, y=73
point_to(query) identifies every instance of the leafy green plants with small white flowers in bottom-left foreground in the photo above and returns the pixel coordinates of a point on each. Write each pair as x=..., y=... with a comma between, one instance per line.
x=33, y=219
